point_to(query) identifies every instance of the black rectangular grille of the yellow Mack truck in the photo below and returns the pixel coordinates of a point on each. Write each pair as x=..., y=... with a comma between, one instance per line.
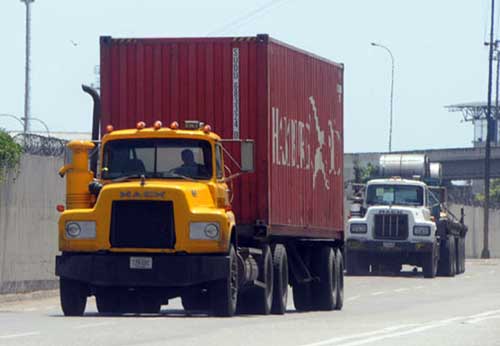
x=142, y=224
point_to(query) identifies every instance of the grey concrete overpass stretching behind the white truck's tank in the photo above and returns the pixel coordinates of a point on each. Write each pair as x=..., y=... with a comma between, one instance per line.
x=457, y=163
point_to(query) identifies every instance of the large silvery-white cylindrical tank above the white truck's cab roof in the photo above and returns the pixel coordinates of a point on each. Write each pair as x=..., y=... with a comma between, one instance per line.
x=404, y=165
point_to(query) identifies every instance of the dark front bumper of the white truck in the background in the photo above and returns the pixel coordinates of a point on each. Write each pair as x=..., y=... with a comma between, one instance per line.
x=388, y=246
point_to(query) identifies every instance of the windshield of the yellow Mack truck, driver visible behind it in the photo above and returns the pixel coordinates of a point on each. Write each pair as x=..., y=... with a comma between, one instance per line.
x=157, y=158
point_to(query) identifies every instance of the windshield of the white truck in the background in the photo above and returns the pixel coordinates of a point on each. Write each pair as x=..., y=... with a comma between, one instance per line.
x=394, y=194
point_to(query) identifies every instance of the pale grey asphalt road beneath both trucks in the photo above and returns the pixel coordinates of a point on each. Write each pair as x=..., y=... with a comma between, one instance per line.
x=379, y=310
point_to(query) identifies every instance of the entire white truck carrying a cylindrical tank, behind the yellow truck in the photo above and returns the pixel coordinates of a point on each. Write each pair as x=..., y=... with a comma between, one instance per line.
x=401, y=218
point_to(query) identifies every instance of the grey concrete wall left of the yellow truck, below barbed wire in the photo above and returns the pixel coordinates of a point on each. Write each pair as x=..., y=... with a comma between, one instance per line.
x=28, y=224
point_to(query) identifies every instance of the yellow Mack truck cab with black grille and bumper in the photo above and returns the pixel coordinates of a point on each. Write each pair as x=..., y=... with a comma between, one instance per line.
x=156, y=223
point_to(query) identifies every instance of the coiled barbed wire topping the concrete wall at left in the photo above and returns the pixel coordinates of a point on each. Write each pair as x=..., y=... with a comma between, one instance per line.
x=41, y=145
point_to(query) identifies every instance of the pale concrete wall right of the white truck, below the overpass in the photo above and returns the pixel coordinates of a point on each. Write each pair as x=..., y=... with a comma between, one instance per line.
x=474, y=221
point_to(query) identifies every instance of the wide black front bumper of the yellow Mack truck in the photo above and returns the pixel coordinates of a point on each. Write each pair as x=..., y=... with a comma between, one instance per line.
x=168, y=270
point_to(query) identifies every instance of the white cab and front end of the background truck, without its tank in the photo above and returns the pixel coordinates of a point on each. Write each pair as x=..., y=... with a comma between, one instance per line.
x=400, y=221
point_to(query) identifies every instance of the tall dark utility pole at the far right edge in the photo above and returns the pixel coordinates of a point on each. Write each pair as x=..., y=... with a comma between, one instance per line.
x=487, y=152
